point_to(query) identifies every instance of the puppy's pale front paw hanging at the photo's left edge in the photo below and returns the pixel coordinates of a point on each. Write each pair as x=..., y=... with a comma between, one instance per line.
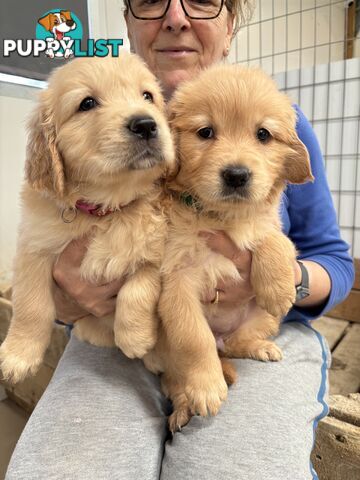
x=16, y=365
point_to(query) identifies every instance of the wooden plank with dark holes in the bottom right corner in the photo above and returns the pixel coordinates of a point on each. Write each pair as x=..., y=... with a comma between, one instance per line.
x=336, y=454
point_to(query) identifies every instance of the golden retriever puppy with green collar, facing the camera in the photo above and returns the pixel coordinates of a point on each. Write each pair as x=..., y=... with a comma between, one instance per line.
x=237, y=148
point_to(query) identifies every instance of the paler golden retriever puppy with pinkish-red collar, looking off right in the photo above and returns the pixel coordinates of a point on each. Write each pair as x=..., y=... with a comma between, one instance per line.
x=99, y=143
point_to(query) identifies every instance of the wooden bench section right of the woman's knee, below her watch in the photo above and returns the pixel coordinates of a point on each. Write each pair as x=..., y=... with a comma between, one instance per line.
x=336, y=454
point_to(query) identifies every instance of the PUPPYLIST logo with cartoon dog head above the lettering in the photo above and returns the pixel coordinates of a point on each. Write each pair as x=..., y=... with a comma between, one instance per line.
x=59, y=34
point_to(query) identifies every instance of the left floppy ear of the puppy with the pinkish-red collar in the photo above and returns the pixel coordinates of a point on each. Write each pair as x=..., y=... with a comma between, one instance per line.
x=44, y=168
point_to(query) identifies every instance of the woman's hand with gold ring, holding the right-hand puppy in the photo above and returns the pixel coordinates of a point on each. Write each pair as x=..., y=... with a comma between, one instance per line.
x=230, y=293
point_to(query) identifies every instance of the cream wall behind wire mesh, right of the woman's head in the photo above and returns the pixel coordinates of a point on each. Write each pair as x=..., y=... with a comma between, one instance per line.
x=291, y=34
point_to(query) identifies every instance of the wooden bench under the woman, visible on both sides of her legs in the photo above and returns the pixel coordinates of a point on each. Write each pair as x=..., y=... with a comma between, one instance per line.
x=336, y=454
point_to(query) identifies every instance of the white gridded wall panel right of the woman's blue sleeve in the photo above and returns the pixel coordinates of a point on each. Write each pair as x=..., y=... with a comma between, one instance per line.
x=329, y=95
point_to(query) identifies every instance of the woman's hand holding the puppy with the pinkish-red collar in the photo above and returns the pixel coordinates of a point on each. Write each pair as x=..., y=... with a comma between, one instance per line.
x=74, y=297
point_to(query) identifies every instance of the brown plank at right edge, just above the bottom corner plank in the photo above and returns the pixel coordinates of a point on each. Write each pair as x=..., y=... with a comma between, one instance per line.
x=345, y=367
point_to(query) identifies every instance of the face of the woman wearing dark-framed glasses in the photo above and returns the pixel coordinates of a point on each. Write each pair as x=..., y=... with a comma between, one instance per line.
x=176, y=47
